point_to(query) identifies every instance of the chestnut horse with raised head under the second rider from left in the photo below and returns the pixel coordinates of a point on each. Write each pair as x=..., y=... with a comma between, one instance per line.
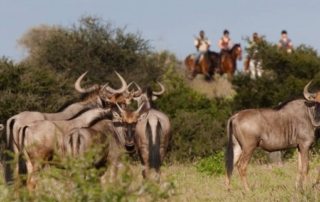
x=228, y=60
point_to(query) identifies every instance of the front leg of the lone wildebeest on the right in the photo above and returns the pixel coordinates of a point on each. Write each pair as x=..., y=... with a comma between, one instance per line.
x=303, y=159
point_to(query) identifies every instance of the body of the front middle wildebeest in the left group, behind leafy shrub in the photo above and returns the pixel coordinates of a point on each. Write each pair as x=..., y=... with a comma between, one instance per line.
x=104, y=139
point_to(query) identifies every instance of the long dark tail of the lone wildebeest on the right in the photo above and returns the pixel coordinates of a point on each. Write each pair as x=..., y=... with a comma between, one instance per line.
x=229, y=151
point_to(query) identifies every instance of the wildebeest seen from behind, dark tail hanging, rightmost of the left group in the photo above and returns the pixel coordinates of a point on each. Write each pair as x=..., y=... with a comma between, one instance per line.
x=152, y=132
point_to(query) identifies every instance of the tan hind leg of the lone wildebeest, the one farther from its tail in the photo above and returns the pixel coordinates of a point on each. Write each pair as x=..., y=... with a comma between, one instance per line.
x=242, y=166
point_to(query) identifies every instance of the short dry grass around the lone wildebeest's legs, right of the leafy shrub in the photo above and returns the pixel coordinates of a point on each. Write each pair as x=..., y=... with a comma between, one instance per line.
x=267, y=184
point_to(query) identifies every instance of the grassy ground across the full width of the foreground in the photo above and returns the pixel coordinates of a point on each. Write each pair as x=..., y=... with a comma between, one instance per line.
x=183, y=182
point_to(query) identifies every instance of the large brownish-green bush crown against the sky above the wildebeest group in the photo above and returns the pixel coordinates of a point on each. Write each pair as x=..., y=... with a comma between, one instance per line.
x=93, y=45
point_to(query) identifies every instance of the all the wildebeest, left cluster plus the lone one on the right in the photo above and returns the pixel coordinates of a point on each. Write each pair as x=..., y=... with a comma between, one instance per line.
x=103, y=118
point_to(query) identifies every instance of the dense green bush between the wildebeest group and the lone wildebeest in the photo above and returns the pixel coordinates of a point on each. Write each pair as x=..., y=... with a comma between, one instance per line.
x=197, y=122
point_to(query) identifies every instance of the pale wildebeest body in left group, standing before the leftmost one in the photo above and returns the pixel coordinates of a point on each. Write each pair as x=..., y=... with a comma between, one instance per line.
x=40, y=140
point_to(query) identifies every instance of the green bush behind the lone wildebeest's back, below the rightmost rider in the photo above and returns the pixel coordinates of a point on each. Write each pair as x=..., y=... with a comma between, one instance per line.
x=285, y=75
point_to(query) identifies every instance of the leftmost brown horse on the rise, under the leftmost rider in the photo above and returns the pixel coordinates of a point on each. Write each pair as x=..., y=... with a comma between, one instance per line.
x=207, y=65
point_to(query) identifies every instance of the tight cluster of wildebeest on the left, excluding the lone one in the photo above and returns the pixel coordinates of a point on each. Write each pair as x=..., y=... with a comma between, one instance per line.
x=102, y=118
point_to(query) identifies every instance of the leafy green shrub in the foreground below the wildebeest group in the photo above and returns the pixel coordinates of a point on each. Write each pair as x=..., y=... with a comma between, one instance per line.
x=76, y=179
